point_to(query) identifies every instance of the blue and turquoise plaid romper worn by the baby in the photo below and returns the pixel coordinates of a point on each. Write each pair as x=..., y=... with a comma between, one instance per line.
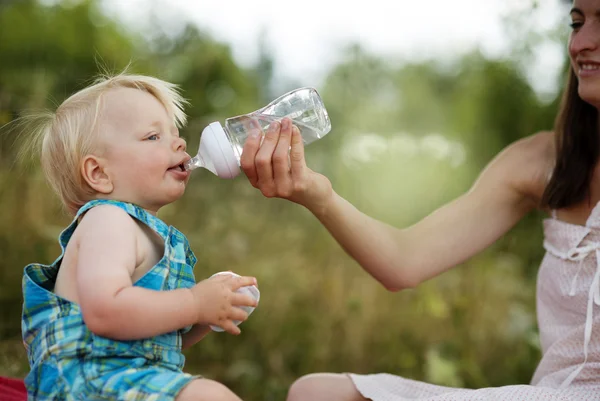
x=69, y=362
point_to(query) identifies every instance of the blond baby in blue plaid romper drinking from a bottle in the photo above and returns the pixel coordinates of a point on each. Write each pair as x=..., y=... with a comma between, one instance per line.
x=110, y=317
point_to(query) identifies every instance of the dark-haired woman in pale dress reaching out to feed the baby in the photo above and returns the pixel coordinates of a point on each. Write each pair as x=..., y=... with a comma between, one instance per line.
x=558, y=172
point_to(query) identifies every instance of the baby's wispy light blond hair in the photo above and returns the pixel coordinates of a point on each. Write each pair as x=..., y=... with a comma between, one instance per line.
x=66, y=136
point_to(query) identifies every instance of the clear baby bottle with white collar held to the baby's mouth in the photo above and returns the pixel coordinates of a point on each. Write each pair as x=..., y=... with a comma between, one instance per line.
x=221, y=146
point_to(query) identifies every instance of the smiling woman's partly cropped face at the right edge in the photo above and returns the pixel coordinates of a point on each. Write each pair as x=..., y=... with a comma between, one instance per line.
x=584, y=48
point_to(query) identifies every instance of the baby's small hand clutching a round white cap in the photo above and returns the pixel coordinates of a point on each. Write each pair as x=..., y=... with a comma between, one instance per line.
x=218, y=303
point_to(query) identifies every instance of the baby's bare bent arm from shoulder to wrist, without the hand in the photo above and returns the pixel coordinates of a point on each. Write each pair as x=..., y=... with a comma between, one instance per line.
x=110, y=304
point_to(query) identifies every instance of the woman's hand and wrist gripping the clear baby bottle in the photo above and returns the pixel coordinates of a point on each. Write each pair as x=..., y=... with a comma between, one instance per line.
x=280, y=172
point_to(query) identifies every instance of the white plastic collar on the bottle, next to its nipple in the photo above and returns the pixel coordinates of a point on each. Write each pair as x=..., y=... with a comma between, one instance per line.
x=219, y=151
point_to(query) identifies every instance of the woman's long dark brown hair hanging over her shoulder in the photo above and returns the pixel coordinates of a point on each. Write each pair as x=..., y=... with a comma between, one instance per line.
x=577, y=142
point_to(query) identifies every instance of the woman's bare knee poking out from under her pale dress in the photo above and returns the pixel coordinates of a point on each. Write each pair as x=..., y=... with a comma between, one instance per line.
x=324, y=387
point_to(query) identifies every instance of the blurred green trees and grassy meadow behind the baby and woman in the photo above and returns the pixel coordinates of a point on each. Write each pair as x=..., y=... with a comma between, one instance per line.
x=407, y=137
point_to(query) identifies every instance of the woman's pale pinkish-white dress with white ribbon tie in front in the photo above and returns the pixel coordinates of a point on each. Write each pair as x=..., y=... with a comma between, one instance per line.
x=568, y=312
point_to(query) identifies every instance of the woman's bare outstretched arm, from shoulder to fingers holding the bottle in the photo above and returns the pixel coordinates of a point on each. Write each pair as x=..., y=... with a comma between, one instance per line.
x=400, y=258
